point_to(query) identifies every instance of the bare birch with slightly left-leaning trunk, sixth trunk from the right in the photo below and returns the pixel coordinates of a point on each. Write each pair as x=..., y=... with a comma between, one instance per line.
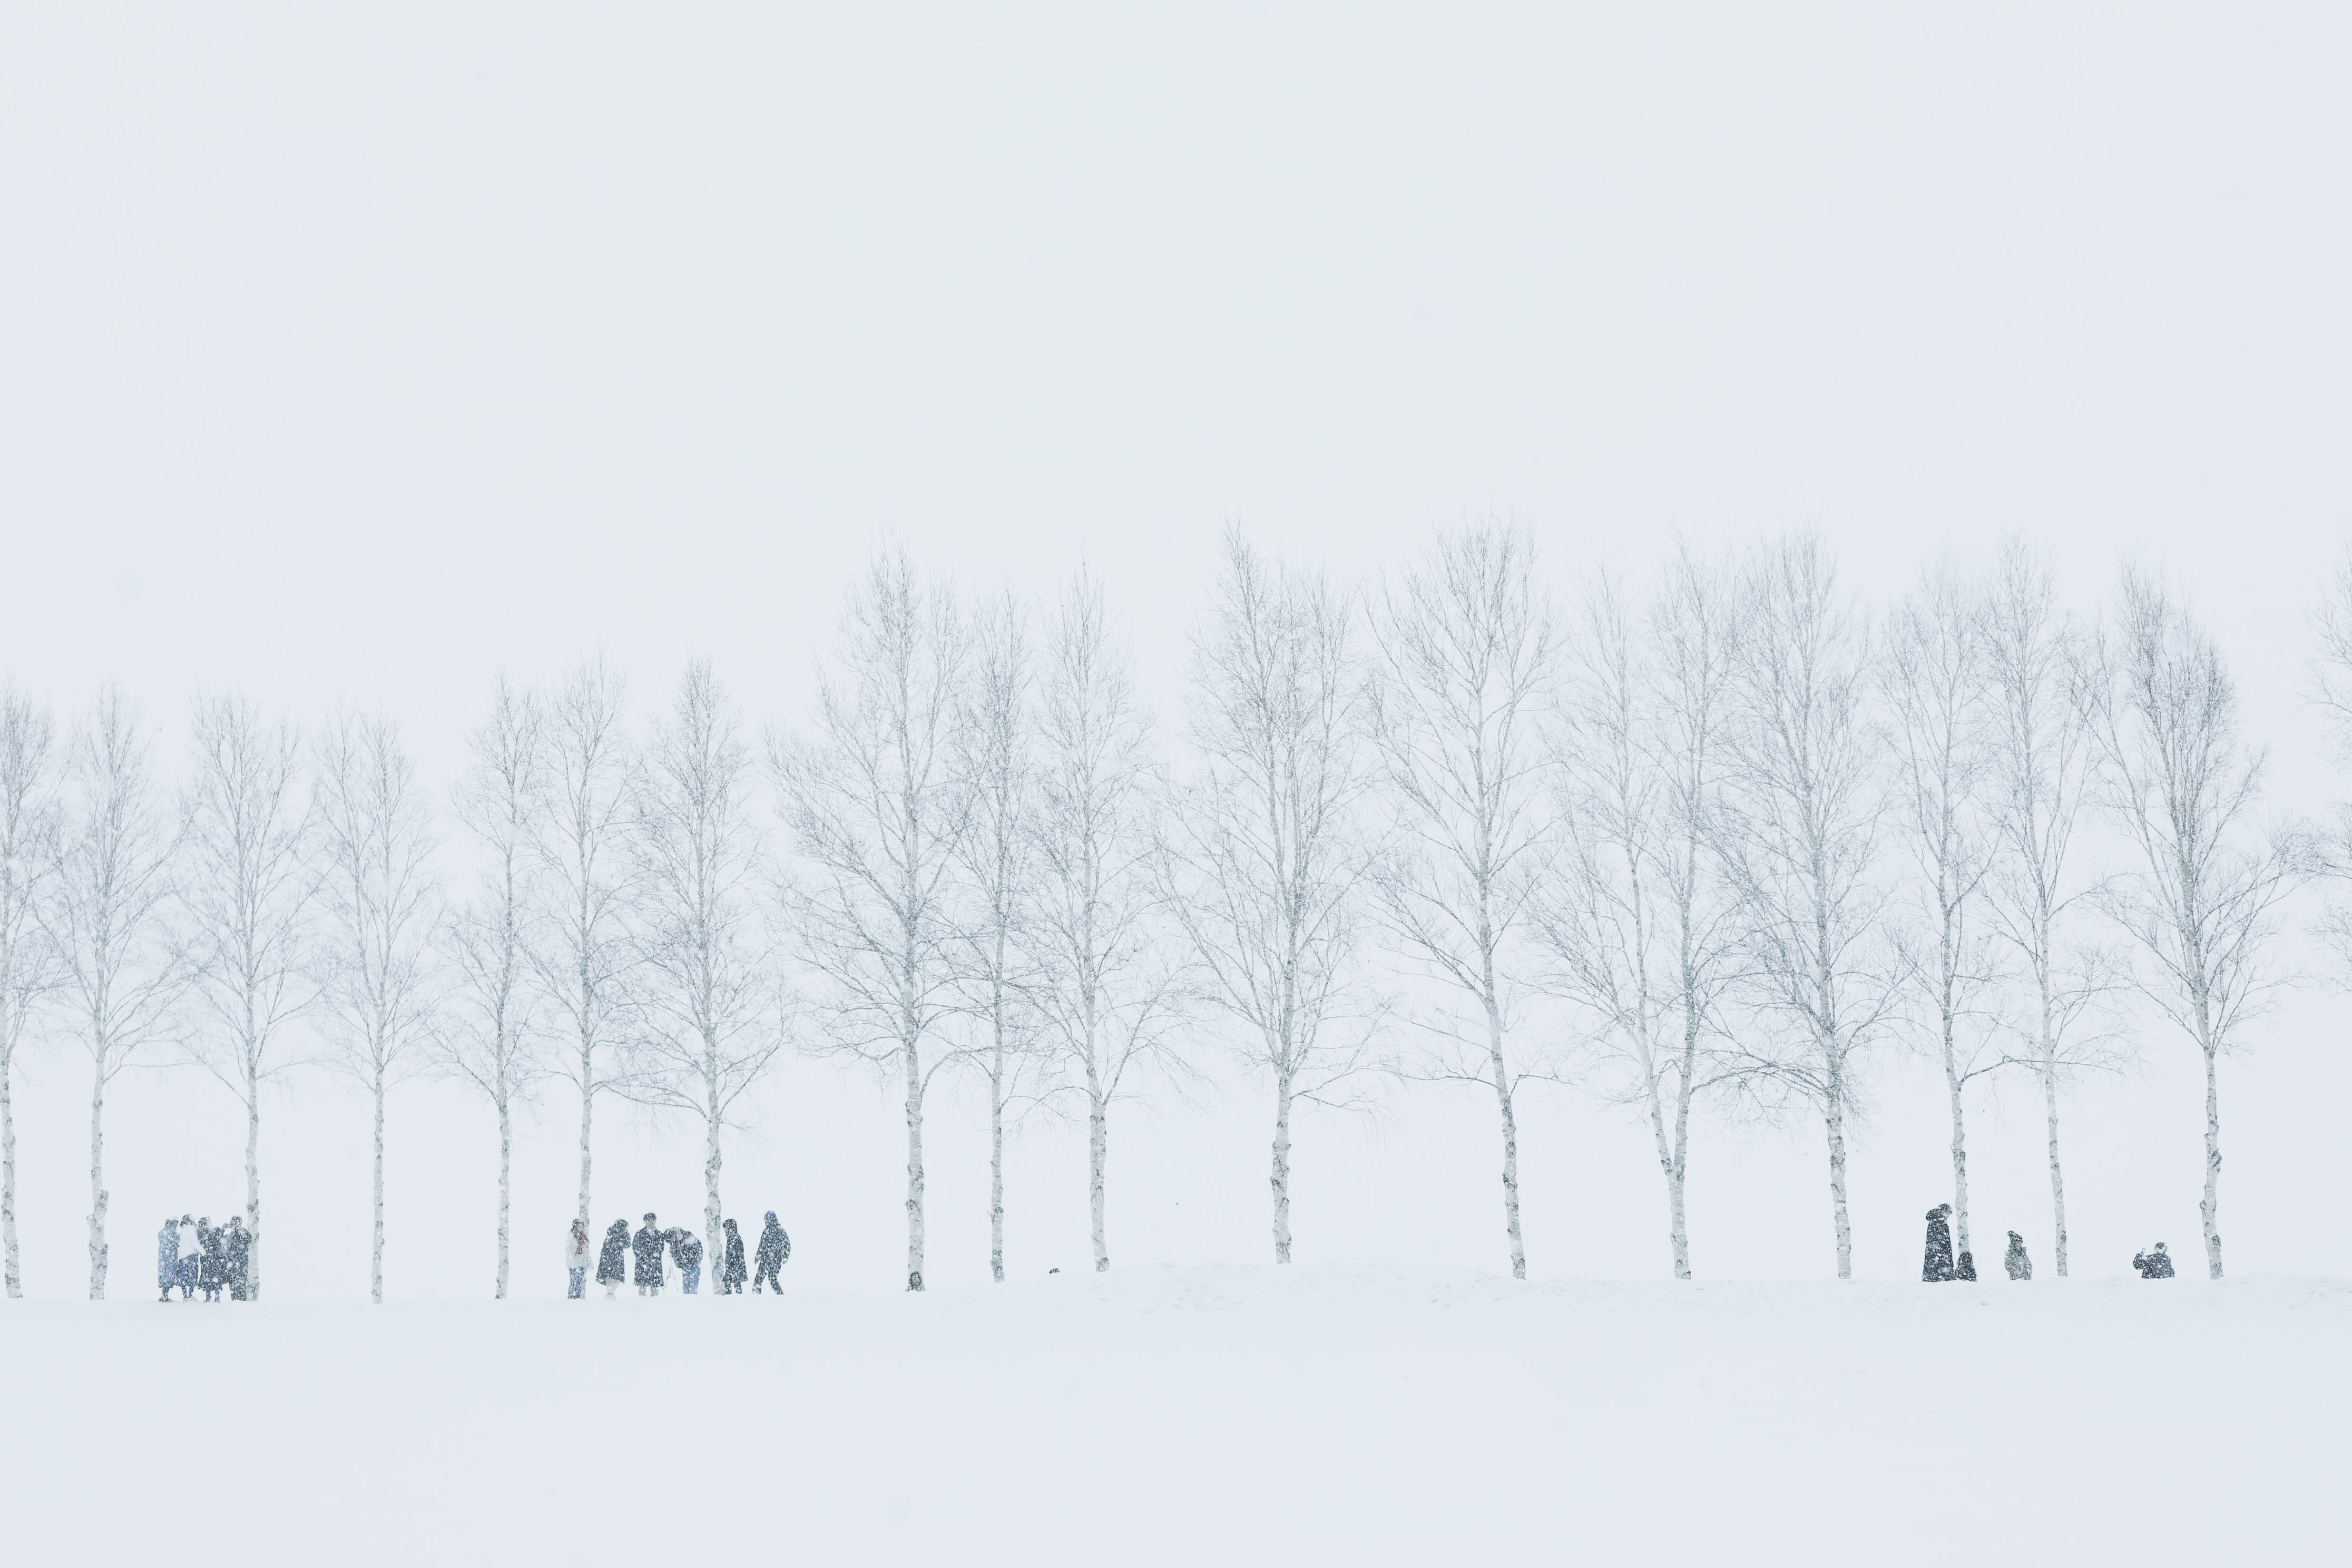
x=1464, y=676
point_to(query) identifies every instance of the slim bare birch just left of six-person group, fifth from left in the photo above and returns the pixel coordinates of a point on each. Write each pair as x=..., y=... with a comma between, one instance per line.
x=490, y=1036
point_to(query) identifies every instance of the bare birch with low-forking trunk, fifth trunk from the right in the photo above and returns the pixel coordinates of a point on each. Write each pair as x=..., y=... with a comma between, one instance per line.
x=1638, y=923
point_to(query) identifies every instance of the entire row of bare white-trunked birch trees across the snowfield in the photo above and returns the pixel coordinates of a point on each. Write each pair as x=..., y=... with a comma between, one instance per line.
x=1728, y=840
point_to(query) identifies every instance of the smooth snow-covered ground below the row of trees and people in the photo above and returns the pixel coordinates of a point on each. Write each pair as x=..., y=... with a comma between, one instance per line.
x=1196, y=1416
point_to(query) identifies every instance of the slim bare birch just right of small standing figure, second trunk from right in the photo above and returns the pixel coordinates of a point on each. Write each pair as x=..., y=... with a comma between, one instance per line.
x=2043, y=772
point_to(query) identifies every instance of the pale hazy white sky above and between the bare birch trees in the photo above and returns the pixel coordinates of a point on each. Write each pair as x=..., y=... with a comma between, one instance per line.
x=354, y=359
